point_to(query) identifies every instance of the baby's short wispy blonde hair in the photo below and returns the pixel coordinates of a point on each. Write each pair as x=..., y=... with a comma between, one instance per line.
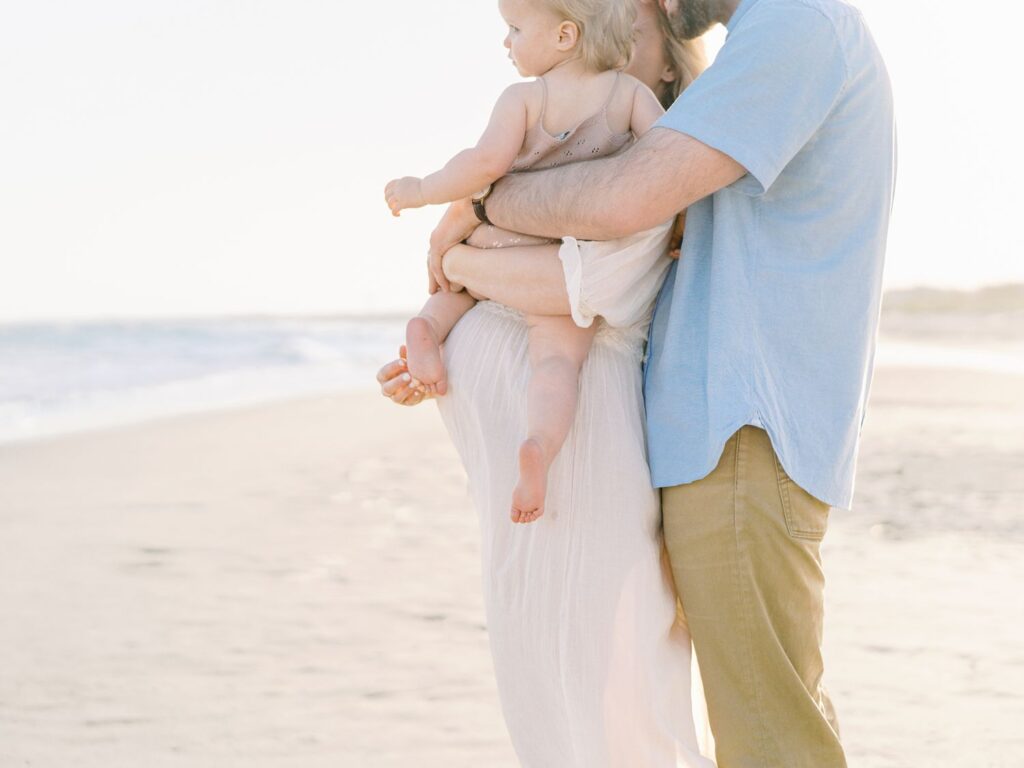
x=606, y=30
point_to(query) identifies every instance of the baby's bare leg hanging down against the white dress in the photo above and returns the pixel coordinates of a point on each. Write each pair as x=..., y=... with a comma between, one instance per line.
x=558, y=351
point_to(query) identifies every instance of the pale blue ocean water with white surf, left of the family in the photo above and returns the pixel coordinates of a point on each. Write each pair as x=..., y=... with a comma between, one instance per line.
x=64, y=377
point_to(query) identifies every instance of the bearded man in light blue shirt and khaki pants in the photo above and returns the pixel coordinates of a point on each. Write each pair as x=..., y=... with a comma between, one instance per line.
x=761, y=349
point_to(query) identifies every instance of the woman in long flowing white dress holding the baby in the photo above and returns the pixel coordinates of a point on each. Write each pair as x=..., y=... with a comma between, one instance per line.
x=593, y=665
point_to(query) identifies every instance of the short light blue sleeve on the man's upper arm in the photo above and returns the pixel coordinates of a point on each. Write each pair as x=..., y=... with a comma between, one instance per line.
x=775, y=82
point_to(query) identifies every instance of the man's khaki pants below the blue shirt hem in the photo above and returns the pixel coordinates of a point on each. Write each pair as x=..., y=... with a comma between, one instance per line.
x=744, y=545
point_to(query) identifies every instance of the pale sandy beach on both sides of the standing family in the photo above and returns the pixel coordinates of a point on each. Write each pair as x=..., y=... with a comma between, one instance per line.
x=298, y=585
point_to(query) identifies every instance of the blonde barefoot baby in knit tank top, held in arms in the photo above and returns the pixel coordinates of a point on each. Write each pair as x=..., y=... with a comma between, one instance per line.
x=579, y=108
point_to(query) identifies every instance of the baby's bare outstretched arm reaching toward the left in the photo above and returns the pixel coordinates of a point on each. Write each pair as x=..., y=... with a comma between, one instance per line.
x=471, y=170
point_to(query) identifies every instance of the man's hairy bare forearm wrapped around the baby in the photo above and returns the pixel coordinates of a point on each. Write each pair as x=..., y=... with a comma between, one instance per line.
x=664, y=174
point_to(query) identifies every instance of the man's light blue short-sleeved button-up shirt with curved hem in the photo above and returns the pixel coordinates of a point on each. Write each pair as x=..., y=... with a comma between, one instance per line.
x=771, y=316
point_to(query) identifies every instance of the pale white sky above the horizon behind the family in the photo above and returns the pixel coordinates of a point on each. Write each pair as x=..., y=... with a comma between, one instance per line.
x=197, y=157
